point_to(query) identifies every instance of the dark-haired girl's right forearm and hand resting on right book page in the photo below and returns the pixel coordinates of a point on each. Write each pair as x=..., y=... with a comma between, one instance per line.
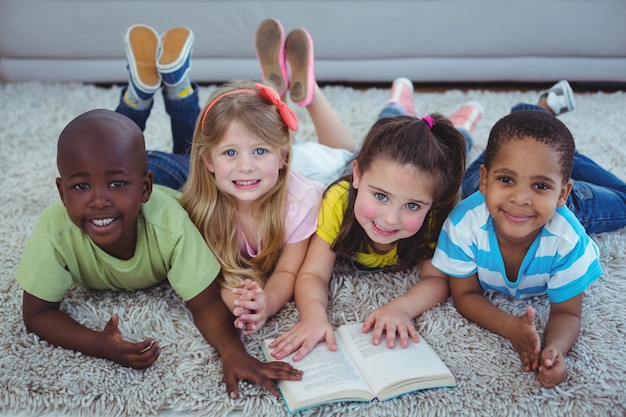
x=397, y=316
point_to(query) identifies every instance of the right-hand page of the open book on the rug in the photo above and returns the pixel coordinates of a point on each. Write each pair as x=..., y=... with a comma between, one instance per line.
x=414, y=367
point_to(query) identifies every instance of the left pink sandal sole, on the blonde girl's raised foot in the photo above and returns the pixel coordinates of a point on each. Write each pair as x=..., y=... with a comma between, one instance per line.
x=269, y=44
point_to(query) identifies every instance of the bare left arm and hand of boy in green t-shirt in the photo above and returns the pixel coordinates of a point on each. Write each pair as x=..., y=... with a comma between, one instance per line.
x=48, y=322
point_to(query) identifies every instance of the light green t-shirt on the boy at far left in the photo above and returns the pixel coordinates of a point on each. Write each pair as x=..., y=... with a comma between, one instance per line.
x=169, y=246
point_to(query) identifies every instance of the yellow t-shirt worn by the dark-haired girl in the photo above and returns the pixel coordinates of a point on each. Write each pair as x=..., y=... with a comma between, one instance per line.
x=332, y=211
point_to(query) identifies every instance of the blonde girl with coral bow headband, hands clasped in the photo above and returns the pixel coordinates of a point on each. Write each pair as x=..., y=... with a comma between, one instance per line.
x=254, y=212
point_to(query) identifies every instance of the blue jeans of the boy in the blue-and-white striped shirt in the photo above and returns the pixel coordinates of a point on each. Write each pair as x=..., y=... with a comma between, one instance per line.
x=598, y=198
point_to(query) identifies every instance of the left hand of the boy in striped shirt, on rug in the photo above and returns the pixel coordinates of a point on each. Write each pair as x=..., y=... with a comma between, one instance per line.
x=525, y=339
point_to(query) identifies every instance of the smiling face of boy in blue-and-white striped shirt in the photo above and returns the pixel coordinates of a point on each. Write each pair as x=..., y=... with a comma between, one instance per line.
x=523, y=189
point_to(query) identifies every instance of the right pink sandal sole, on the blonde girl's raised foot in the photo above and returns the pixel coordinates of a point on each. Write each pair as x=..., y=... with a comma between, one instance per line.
x=299, y=53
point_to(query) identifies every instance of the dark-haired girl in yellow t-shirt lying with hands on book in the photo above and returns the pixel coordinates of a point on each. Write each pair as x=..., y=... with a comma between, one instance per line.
x=387, y=215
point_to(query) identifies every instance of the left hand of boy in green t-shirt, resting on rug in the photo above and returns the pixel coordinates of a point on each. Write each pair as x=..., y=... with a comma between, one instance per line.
x=139, y=355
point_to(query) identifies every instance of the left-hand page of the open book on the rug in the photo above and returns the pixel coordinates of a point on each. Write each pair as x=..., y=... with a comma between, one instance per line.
x=328, y=376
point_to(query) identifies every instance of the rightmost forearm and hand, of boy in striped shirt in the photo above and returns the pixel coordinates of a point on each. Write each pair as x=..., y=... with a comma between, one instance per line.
x=560, y=335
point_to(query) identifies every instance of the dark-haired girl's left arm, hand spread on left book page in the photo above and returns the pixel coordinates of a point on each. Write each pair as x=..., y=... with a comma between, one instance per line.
x=311, y=294
